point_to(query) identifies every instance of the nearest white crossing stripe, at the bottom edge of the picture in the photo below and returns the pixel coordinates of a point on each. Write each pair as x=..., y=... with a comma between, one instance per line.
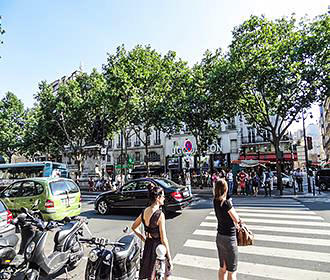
x=253, y=269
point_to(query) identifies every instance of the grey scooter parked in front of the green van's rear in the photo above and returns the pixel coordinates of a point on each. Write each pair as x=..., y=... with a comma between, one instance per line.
x=68, y=251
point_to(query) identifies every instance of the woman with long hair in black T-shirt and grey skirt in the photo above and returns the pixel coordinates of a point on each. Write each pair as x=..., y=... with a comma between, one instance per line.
x=226, y=240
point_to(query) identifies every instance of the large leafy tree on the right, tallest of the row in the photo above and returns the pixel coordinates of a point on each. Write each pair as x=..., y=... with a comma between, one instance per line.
x=278, y=69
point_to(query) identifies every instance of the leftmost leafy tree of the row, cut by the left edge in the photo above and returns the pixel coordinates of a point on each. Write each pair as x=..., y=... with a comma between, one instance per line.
x=12, y=120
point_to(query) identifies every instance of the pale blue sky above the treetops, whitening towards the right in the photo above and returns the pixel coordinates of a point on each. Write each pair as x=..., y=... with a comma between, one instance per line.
x=46, y=39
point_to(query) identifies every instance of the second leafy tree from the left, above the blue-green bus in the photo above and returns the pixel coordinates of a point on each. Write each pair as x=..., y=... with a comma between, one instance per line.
x=67, y=117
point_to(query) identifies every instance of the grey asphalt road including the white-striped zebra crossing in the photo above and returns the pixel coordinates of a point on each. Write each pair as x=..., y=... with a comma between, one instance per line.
x=292, y=238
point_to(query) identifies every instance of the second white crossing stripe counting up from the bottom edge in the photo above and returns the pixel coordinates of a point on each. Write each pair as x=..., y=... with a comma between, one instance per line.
x=265, y=251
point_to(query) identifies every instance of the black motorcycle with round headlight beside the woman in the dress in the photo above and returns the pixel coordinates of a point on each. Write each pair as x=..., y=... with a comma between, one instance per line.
x=121, y=261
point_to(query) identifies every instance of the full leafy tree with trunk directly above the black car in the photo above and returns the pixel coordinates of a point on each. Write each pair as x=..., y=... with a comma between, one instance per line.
x=139, y=82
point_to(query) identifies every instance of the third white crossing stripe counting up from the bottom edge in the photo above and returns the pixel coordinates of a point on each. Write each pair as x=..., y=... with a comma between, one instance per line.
x=274, y=238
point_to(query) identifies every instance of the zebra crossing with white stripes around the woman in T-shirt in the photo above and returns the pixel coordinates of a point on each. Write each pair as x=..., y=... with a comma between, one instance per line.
x=291, y=242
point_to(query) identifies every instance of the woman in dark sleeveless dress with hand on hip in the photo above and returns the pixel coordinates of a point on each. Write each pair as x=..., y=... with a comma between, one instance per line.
x=153, y=220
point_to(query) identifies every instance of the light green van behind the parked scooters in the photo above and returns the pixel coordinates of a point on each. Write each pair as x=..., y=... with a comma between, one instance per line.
x=58, y=197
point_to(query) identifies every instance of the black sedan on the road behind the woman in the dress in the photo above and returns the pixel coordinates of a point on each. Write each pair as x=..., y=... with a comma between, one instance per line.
x=134, y=194
